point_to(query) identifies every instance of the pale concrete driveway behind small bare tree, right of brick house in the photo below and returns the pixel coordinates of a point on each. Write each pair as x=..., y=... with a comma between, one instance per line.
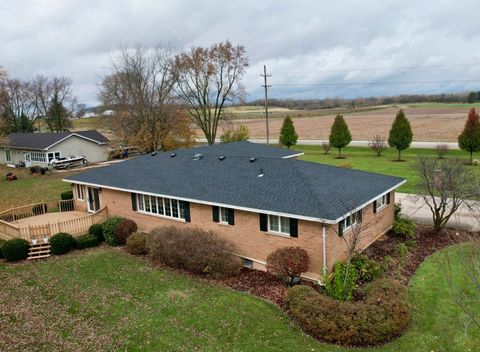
x=415, y=208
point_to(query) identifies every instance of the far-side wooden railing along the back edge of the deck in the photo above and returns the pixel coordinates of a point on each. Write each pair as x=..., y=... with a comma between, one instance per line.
x=30, y=210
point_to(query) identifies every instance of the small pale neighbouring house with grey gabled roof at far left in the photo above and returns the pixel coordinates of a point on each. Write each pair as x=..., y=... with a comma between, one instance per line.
x=40, y=148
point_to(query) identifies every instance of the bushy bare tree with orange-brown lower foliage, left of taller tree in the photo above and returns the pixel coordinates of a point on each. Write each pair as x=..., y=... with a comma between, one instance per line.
x=140, y=90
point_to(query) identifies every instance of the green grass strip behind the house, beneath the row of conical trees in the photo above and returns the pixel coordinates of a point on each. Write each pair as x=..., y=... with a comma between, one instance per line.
x=362, y=158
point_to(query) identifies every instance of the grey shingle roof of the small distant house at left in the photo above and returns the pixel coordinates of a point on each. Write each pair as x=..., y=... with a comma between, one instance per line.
x=41, y=141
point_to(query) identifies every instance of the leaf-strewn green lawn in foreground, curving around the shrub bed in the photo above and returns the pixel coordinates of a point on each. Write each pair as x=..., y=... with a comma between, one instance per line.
x=104, y=299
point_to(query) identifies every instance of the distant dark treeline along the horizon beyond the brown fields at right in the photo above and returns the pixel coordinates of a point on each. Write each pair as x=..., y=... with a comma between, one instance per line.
x=331, y=103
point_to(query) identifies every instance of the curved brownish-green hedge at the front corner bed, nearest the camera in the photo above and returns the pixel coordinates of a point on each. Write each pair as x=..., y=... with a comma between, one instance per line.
x=382, y=316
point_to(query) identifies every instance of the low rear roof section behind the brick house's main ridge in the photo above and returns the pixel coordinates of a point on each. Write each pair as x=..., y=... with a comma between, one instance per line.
x=245, y=149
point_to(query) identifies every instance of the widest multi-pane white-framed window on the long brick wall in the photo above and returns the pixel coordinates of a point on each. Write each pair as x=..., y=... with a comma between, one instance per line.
x=160, y=206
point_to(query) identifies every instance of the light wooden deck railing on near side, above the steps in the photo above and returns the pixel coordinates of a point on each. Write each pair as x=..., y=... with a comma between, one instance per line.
x=75, y=227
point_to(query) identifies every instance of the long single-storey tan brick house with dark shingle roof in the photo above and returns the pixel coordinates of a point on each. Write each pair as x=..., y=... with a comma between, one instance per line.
x=261, y=198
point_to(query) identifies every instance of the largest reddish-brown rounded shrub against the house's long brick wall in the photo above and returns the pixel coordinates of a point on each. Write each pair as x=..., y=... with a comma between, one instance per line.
x=195, y=250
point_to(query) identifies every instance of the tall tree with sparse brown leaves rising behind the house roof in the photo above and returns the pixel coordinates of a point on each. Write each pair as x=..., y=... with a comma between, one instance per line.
x=208, y=78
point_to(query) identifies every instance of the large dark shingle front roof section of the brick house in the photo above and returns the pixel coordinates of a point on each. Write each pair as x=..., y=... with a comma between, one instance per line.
x=288, y=186
